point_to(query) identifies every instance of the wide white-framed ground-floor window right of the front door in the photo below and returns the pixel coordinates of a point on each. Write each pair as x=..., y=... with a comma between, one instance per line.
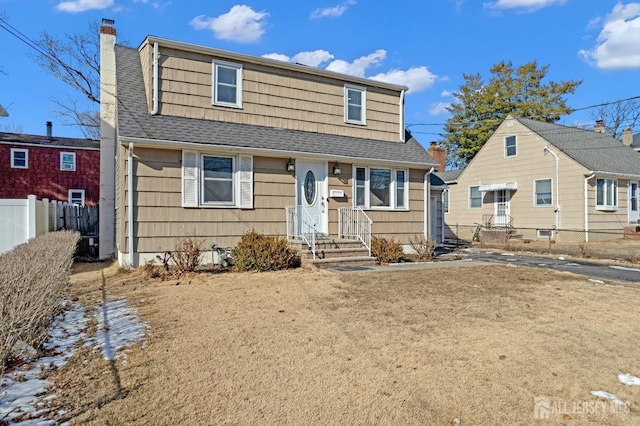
x=380, y=188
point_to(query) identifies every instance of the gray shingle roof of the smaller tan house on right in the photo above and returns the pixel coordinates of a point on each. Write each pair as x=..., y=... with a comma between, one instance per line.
x=595, y=151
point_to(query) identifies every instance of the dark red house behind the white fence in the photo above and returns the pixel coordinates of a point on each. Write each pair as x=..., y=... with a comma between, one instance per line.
x=57, y=168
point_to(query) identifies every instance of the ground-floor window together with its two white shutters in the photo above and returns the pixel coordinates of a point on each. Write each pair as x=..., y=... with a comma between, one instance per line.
x=210, y=180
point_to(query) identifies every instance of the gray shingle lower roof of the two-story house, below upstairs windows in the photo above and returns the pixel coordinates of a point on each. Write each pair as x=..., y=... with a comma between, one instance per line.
x=134, y=121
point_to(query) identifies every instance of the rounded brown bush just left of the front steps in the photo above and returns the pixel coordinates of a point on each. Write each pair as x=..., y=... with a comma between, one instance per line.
x=259, y=252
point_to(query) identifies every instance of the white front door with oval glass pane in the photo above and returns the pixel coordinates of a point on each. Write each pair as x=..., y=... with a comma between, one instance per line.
x=312, y=191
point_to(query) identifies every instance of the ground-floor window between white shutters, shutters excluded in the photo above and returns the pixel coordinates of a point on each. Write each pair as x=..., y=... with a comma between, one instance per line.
x=217, y=180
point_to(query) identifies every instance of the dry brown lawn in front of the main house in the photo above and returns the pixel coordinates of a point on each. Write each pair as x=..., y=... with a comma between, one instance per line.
x=311, y=347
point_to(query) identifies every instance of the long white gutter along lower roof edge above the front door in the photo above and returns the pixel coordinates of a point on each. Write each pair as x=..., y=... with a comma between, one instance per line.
x=151, y=143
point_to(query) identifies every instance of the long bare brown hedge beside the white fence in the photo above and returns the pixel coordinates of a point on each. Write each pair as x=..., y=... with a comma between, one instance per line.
x=33, y=280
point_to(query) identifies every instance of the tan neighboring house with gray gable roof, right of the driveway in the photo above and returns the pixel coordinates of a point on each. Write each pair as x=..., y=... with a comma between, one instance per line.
x=541, y=178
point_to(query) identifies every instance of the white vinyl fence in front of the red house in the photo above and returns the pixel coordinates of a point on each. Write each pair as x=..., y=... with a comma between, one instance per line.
x=23, y=219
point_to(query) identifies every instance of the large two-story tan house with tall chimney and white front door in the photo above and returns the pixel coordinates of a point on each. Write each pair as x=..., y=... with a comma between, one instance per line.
x=214, y=143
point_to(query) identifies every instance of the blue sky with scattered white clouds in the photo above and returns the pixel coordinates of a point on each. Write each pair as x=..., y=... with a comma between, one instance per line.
x=424, y=45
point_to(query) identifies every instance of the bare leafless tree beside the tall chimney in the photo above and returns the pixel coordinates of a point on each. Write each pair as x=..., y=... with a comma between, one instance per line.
x=75, y=60
